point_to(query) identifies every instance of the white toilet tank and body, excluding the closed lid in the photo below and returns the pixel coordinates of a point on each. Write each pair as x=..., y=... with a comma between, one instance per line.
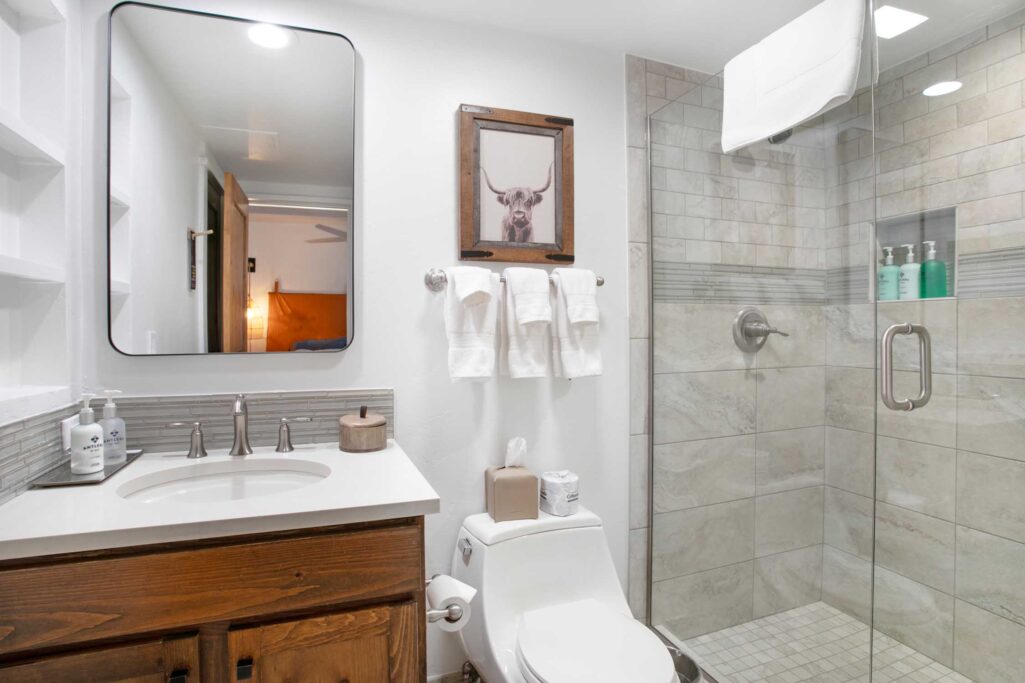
x=524, y=566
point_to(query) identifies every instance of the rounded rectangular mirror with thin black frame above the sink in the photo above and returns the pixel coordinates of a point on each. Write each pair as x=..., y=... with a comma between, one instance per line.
x=230, y=175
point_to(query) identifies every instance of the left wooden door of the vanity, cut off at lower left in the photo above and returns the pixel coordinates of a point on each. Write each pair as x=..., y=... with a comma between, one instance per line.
x=171, y=661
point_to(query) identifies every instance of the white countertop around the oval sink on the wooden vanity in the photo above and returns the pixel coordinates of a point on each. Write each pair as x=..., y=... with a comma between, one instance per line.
x=359, y=488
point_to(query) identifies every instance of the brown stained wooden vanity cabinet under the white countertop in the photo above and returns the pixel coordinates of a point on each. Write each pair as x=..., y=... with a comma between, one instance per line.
x=329, y=606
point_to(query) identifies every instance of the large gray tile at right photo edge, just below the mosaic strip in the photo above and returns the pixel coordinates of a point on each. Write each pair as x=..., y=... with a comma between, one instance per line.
x=990, y=337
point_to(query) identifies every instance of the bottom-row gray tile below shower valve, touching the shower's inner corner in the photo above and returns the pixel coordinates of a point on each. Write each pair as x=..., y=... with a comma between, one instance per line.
x=788, y=581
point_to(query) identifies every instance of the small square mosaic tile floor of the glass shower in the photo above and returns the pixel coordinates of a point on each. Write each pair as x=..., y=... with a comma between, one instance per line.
x=815, y=642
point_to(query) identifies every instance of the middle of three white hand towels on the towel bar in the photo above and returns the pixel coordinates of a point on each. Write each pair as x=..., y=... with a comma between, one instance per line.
x=526, y=314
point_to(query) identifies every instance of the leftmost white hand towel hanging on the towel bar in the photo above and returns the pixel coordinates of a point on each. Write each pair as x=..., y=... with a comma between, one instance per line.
x=472, y=329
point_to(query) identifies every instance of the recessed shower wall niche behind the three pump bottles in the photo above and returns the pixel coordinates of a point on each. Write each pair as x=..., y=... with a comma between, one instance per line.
x=939, y=226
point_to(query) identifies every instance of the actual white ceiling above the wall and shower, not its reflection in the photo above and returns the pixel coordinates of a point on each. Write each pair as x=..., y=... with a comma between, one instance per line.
x=698, y=34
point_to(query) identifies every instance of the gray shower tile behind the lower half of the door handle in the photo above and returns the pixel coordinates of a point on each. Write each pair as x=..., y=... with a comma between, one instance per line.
x=936, y=423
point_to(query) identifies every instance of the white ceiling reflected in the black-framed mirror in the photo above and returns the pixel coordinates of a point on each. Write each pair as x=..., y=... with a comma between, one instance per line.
x=294, y=106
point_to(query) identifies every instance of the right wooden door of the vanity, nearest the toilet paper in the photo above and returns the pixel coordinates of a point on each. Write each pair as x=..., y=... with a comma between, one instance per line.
x=375, y=646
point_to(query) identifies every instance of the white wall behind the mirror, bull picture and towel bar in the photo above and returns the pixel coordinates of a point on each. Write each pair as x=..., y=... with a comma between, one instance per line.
x=413, y=77
